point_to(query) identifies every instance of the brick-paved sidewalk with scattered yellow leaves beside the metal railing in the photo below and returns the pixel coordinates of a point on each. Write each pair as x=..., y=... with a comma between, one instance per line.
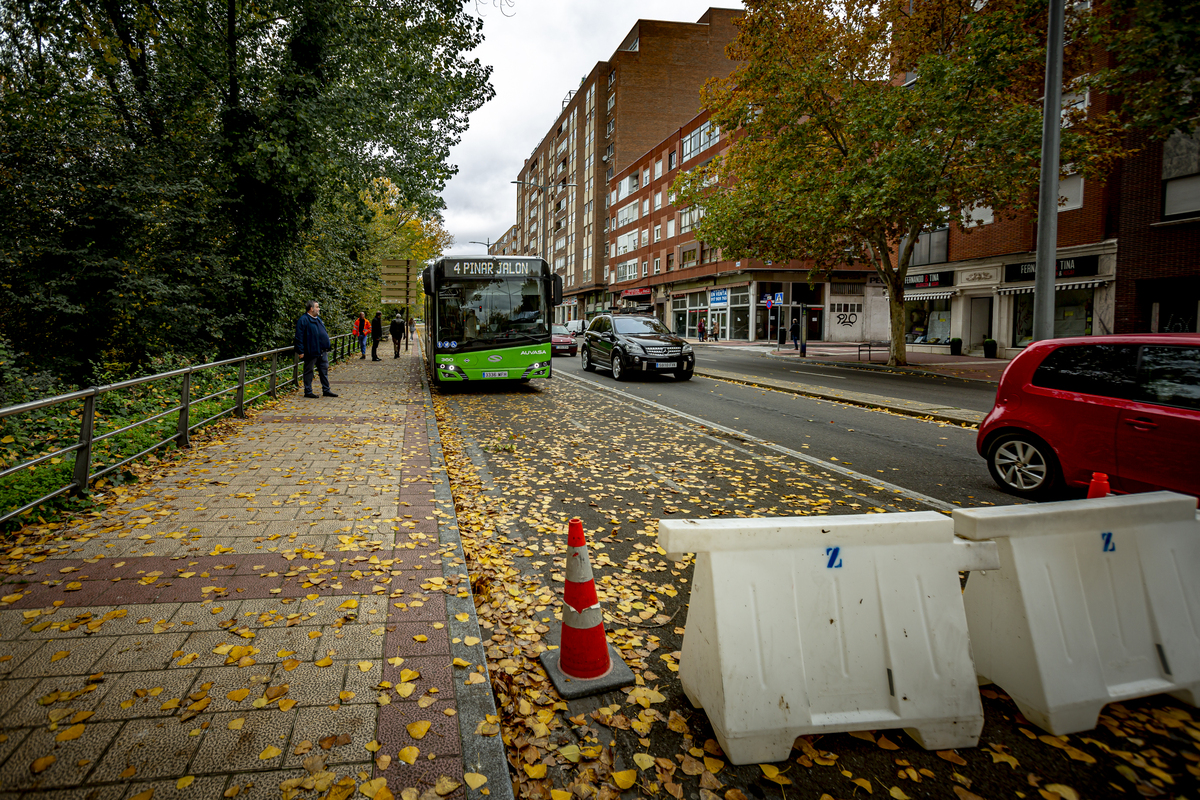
x=275, y=618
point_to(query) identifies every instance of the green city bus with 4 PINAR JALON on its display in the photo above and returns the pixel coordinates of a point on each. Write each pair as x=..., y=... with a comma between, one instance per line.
x=488, y=318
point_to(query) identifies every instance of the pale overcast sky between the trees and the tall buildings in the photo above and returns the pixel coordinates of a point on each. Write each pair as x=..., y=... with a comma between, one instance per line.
x=539, y=52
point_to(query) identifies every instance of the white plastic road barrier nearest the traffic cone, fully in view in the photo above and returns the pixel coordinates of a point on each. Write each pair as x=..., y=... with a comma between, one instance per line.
x=824, y=624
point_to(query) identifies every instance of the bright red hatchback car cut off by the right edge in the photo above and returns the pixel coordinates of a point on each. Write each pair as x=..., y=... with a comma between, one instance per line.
x=1126, y=406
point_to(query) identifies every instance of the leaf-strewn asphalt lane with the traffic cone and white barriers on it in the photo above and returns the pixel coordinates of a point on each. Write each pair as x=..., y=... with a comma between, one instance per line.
x=523, y=461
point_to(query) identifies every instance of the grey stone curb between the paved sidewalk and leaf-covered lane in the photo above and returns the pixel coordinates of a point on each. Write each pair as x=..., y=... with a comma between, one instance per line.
x=483, y=755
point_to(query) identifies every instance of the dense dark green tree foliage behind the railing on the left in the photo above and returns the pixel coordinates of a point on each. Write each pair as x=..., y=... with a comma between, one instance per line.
x=183, y=176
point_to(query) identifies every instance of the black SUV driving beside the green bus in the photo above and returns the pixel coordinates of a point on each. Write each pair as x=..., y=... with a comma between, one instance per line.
x=628, y=342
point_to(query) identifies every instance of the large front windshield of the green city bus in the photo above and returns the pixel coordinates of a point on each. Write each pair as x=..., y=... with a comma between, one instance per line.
x=485, y=312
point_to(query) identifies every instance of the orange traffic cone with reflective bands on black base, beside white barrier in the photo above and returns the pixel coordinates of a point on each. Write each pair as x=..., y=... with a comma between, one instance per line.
x=585, y=663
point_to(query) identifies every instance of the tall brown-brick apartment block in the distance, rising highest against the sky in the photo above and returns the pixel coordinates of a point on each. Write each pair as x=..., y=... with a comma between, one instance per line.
x=625, y=106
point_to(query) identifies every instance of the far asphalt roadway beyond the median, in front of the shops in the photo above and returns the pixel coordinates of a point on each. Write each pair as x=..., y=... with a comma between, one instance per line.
x=941, y=392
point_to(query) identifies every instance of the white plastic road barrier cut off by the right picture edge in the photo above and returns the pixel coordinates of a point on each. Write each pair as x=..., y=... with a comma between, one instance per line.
x=1096, y=601
